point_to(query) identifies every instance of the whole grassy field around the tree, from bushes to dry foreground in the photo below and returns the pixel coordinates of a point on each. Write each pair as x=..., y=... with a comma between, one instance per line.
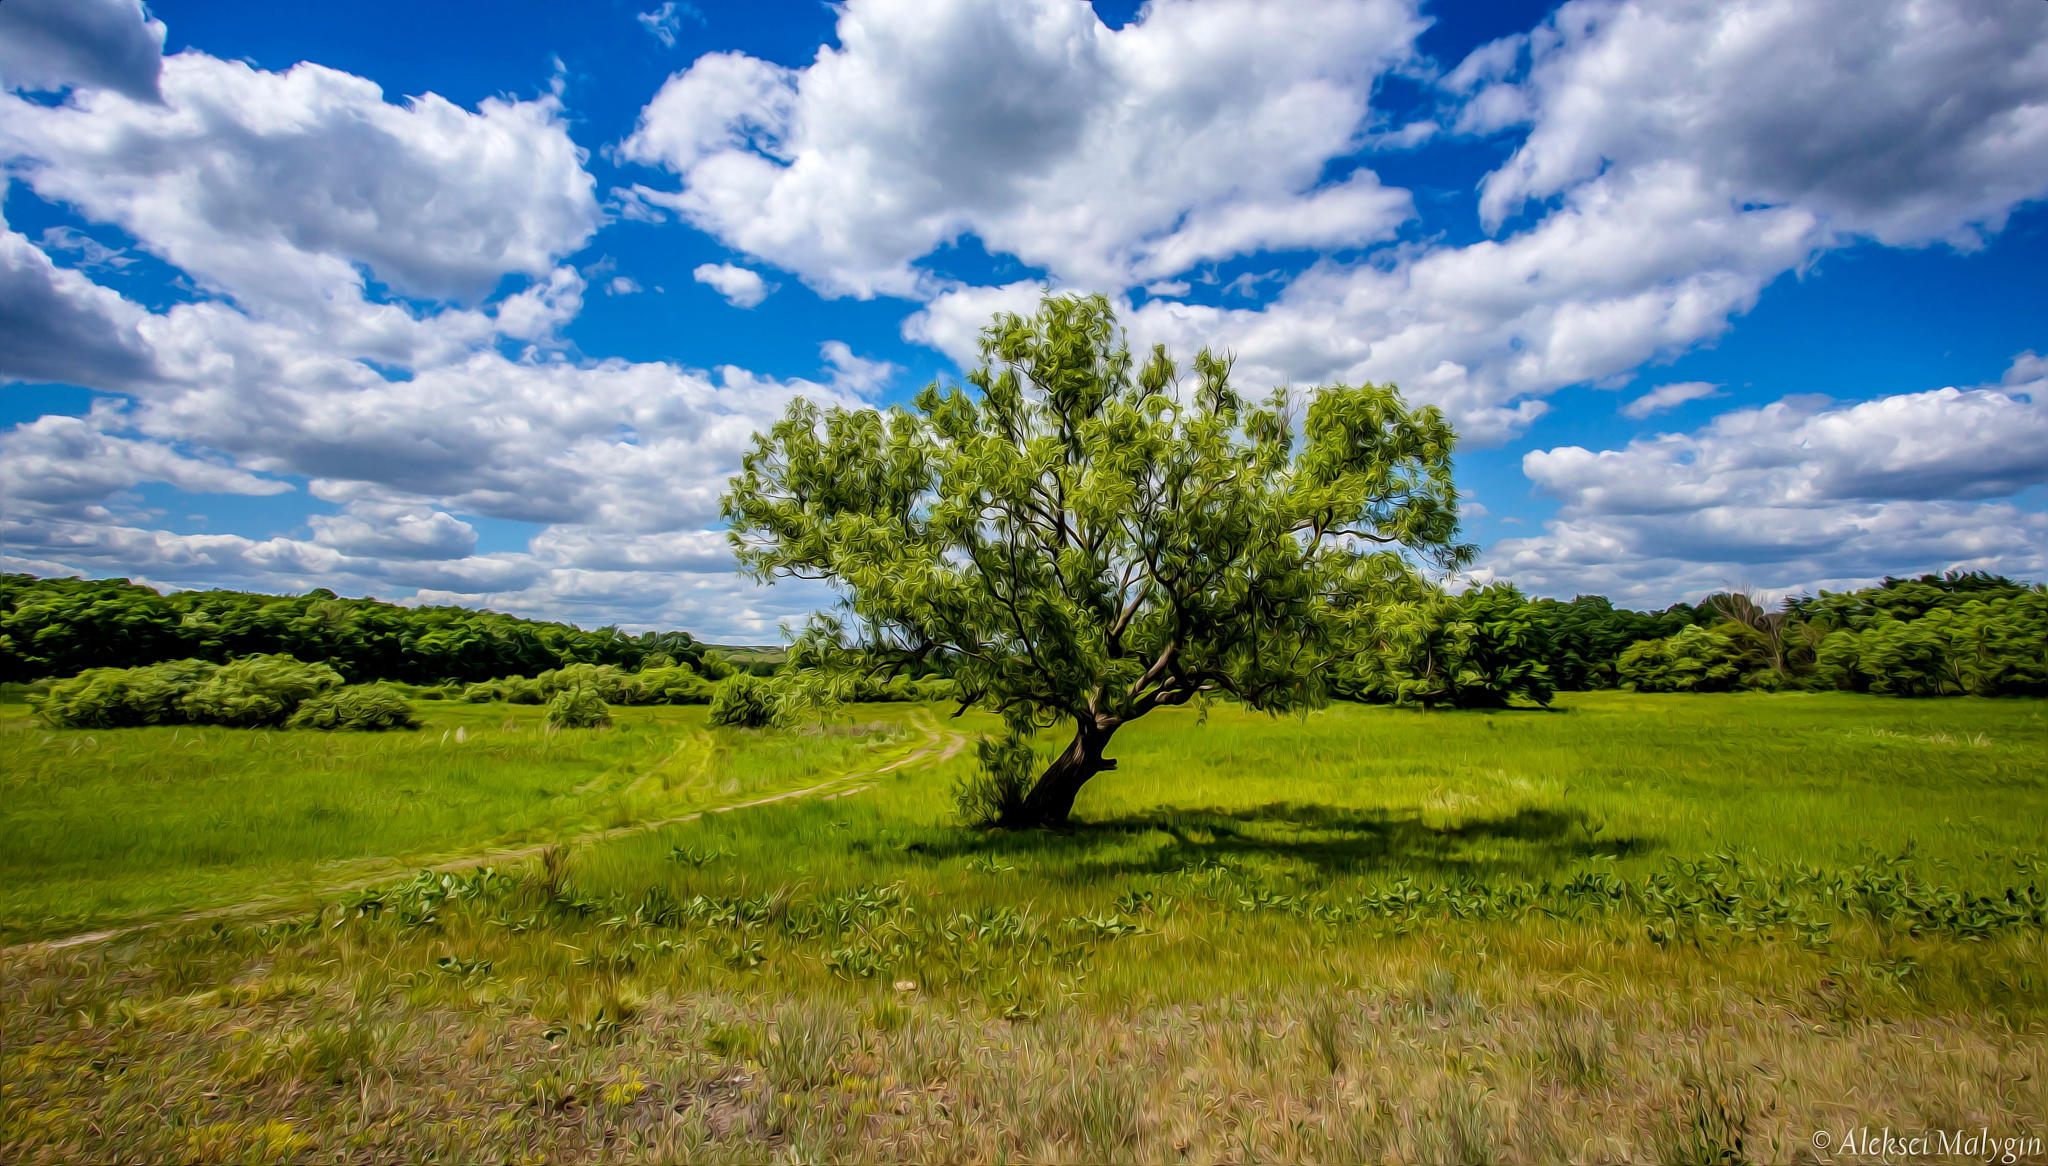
x=1635, y=929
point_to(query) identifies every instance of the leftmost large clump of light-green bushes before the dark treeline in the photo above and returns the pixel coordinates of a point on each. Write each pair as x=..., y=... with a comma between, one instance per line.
x=259, y=692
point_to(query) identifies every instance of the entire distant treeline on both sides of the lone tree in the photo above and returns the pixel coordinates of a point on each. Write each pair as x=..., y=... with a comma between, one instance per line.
x=1932, y=636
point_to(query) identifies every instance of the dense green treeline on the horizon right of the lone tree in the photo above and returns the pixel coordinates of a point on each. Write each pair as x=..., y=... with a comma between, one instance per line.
x=1932, y=636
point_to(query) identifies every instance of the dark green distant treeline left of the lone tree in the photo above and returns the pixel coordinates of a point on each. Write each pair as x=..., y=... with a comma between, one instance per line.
x=65, y=626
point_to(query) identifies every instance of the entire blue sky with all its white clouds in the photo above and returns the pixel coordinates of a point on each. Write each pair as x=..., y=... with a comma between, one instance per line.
x=480, y=302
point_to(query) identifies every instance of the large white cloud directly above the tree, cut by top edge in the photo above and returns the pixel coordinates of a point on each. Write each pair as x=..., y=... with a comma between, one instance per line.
x=1113, y=157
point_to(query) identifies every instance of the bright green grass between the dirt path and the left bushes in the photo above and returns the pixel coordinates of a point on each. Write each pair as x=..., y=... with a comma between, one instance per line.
x=112, y=827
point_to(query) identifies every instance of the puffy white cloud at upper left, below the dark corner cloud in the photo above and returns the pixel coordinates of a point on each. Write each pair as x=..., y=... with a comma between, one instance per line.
x=288, y=185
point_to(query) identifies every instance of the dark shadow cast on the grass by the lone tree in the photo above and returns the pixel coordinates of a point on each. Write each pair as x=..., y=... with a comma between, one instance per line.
x=1330, y=839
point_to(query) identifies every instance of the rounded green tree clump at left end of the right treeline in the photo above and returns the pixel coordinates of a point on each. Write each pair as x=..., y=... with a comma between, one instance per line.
x=1478, y=651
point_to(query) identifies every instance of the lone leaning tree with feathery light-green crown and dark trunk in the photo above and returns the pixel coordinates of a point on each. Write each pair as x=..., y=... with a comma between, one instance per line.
x=1082, y=542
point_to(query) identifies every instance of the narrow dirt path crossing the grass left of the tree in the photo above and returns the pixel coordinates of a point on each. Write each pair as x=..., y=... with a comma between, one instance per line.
x=939, y=747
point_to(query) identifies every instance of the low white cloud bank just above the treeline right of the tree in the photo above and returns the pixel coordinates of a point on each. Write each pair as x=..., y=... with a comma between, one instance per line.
x=1795, y=497
